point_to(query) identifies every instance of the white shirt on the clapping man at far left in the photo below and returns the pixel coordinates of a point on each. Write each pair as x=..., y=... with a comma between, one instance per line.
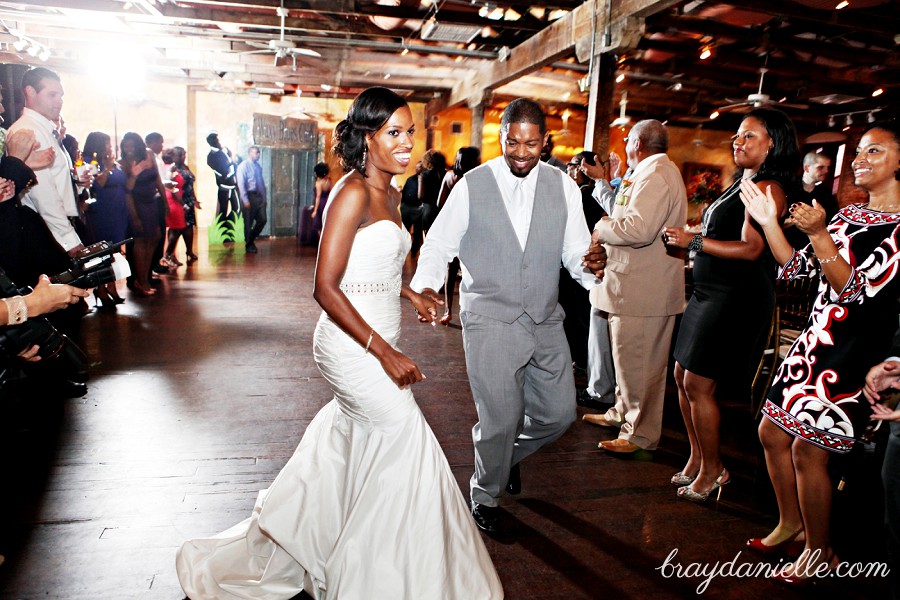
x=53, y=197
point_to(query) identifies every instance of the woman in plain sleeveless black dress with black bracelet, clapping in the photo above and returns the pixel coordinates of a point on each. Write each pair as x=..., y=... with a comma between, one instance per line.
x=722, y=332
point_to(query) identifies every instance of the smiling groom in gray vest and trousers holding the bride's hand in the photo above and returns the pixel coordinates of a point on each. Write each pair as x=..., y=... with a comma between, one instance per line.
x=511, y=222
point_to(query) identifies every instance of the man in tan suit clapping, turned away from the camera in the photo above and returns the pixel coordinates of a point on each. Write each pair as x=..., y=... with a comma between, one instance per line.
x=643, y=289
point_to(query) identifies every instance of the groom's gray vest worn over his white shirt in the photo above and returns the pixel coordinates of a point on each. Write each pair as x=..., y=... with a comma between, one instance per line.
x=505, y=280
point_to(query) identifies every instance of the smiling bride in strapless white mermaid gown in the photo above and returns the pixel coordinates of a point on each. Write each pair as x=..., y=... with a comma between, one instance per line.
x=367, y=507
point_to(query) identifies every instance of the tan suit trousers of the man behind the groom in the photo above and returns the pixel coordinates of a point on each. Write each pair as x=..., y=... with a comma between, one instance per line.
x=640, y=348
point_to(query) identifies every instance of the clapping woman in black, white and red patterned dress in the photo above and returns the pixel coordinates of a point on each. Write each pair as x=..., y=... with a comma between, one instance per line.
x=816, y=407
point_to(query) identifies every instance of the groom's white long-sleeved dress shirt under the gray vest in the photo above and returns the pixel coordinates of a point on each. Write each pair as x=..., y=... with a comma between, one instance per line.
x=442, y=243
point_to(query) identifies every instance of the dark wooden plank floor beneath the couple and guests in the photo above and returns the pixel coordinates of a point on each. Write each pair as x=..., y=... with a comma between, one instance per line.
x=198, y=396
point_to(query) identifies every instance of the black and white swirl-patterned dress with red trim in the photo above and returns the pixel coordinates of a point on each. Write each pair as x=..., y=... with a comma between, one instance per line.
x=816, y=394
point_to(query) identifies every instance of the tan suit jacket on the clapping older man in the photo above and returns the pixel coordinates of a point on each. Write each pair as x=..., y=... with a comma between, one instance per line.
x=641, y=278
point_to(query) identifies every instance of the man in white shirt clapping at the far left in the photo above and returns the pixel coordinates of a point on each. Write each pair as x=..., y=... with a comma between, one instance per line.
x=54, y=195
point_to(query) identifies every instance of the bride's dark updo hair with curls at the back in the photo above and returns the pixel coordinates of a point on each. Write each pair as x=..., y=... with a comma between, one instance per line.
x=368, y=113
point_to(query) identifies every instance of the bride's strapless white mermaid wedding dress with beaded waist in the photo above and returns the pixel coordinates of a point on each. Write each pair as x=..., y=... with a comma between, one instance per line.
x=367, y=507
